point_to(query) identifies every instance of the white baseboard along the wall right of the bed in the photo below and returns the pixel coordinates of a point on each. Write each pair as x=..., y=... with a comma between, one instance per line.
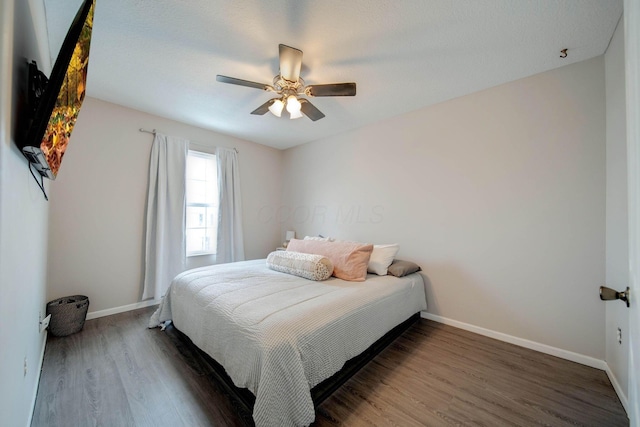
x=543, y=348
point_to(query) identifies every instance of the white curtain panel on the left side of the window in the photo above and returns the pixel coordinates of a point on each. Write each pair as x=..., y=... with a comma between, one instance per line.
x=165, y=253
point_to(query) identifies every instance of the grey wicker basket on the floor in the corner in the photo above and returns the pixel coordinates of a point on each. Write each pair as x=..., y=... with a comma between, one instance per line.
x=67, y=314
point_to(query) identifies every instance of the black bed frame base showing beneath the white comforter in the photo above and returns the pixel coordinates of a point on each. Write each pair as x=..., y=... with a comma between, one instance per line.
x=243, y=400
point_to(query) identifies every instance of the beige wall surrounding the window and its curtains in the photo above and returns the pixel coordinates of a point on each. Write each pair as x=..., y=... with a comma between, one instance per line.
x=98, y=202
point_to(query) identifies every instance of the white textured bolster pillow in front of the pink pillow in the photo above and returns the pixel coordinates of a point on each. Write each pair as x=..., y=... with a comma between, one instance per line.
x=309, y=266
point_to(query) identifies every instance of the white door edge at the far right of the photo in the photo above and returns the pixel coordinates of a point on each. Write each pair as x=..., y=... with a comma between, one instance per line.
x=632, y=69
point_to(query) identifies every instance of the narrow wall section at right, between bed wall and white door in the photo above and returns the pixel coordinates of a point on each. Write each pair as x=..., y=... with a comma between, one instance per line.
x=617, y=253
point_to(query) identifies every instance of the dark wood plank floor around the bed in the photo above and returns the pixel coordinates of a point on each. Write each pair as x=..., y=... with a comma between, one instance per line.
x=116, y=372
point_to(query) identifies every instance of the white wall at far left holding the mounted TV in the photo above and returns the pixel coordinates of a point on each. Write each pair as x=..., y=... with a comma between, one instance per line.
x=23, y=224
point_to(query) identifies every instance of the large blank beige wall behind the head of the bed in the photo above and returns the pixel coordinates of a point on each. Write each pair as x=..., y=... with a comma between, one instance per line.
x=499, y=196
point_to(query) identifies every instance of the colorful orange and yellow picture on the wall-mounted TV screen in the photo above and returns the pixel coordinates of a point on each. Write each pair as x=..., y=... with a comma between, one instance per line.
x=64, y=115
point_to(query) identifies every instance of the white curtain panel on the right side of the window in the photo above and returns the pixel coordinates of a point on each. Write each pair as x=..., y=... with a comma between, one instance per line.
x=230, y=244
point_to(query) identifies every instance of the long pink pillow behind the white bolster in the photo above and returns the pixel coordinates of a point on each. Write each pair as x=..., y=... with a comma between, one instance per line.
x=350, y=259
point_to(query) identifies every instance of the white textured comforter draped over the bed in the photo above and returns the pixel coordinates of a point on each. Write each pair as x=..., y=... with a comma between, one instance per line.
x=280, y=335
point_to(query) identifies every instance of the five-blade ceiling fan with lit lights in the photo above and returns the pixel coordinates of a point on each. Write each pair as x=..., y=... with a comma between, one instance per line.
x=289, y=86
